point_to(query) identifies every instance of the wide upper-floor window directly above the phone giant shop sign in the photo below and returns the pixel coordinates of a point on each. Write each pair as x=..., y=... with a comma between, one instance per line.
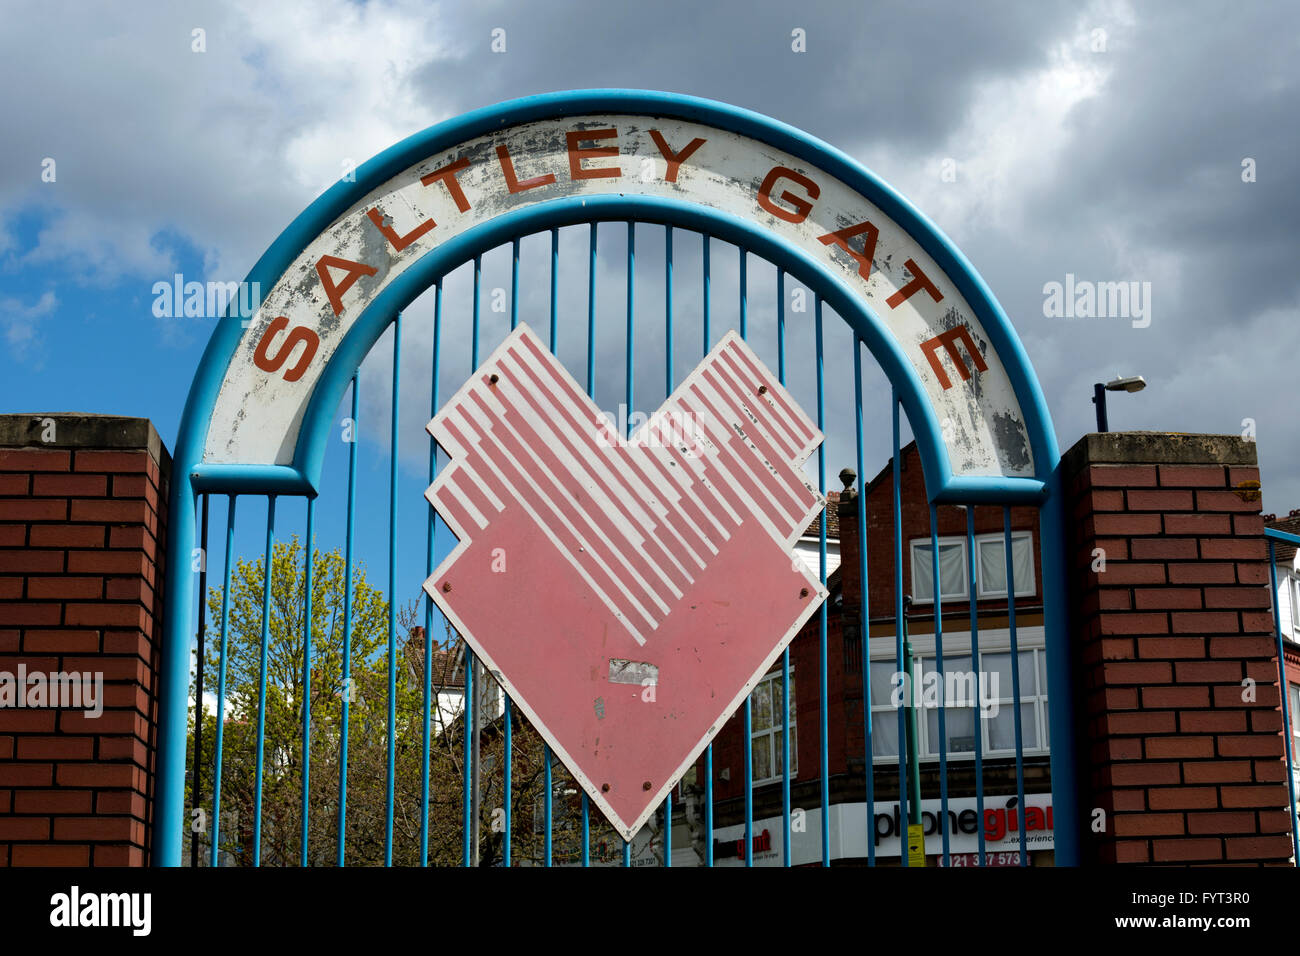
x=963, y=721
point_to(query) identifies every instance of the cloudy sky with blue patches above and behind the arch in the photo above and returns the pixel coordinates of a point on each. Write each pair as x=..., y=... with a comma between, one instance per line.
x=1154, y=144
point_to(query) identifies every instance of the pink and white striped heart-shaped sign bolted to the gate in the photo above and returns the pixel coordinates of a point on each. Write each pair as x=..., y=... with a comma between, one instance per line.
x=629, y=595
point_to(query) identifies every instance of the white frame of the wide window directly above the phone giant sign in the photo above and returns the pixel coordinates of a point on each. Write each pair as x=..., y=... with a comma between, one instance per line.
x=957, y=644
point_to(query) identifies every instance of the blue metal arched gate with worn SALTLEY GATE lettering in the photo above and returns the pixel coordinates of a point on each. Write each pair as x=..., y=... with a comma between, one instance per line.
x=294, y=466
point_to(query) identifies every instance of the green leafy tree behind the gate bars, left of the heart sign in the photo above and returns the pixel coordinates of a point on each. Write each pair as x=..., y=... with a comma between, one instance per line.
x=367, y=694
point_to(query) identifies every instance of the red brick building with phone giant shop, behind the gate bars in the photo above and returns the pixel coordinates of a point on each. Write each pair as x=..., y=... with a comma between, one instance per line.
x=846, y=716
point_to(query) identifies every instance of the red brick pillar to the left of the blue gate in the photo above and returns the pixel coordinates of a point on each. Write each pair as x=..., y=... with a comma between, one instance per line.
x=83, y=525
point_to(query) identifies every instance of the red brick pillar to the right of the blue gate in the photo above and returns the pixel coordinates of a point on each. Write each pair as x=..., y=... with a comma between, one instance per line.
x=1181, y=751
